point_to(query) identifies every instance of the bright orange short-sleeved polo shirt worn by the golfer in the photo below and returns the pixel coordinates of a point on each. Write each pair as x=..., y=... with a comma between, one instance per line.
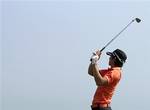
x=103, y=94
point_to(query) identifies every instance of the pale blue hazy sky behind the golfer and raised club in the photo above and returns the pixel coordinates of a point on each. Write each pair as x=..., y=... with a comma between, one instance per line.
x=46, y=46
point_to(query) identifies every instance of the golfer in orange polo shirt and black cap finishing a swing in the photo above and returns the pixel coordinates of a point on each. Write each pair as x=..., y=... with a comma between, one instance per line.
x=106, y=79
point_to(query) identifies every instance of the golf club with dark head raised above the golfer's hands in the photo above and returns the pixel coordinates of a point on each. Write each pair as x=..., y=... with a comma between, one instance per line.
x=136, y=19
